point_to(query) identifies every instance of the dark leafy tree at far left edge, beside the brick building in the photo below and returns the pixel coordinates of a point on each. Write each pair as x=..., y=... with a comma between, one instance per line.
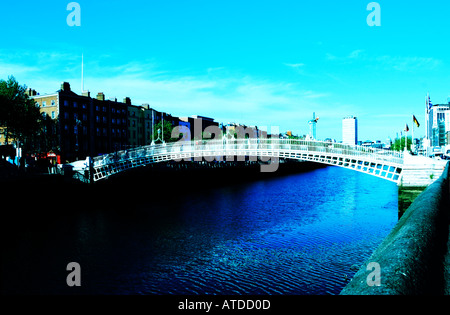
x=19, y=114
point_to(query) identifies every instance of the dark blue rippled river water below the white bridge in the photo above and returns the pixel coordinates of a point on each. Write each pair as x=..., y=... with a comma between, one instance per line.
x=300, y=234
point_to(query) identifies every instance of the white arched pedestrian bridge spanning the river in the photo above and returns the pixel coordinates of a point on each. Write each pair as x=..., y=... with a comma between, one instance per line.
x=381, y=163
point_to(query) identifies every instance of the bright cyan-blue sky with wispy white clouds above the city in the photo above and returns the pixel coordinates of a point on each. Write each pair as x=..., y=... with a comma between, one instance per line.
x=265, y=63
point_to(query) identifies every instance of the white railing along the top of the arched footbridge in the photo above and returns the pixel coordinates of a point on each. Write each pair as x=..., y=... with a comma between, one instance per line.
x=249, y=147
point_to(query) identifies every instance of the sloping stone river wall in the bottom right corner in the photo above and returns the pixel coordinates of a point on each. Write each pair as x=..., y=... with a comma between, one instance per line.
x=413, y=259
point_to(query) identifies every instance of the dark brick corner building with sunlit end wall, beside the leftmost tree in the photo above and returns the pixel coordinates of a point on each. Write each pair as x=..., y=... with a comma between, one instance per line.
x=86, y=126
